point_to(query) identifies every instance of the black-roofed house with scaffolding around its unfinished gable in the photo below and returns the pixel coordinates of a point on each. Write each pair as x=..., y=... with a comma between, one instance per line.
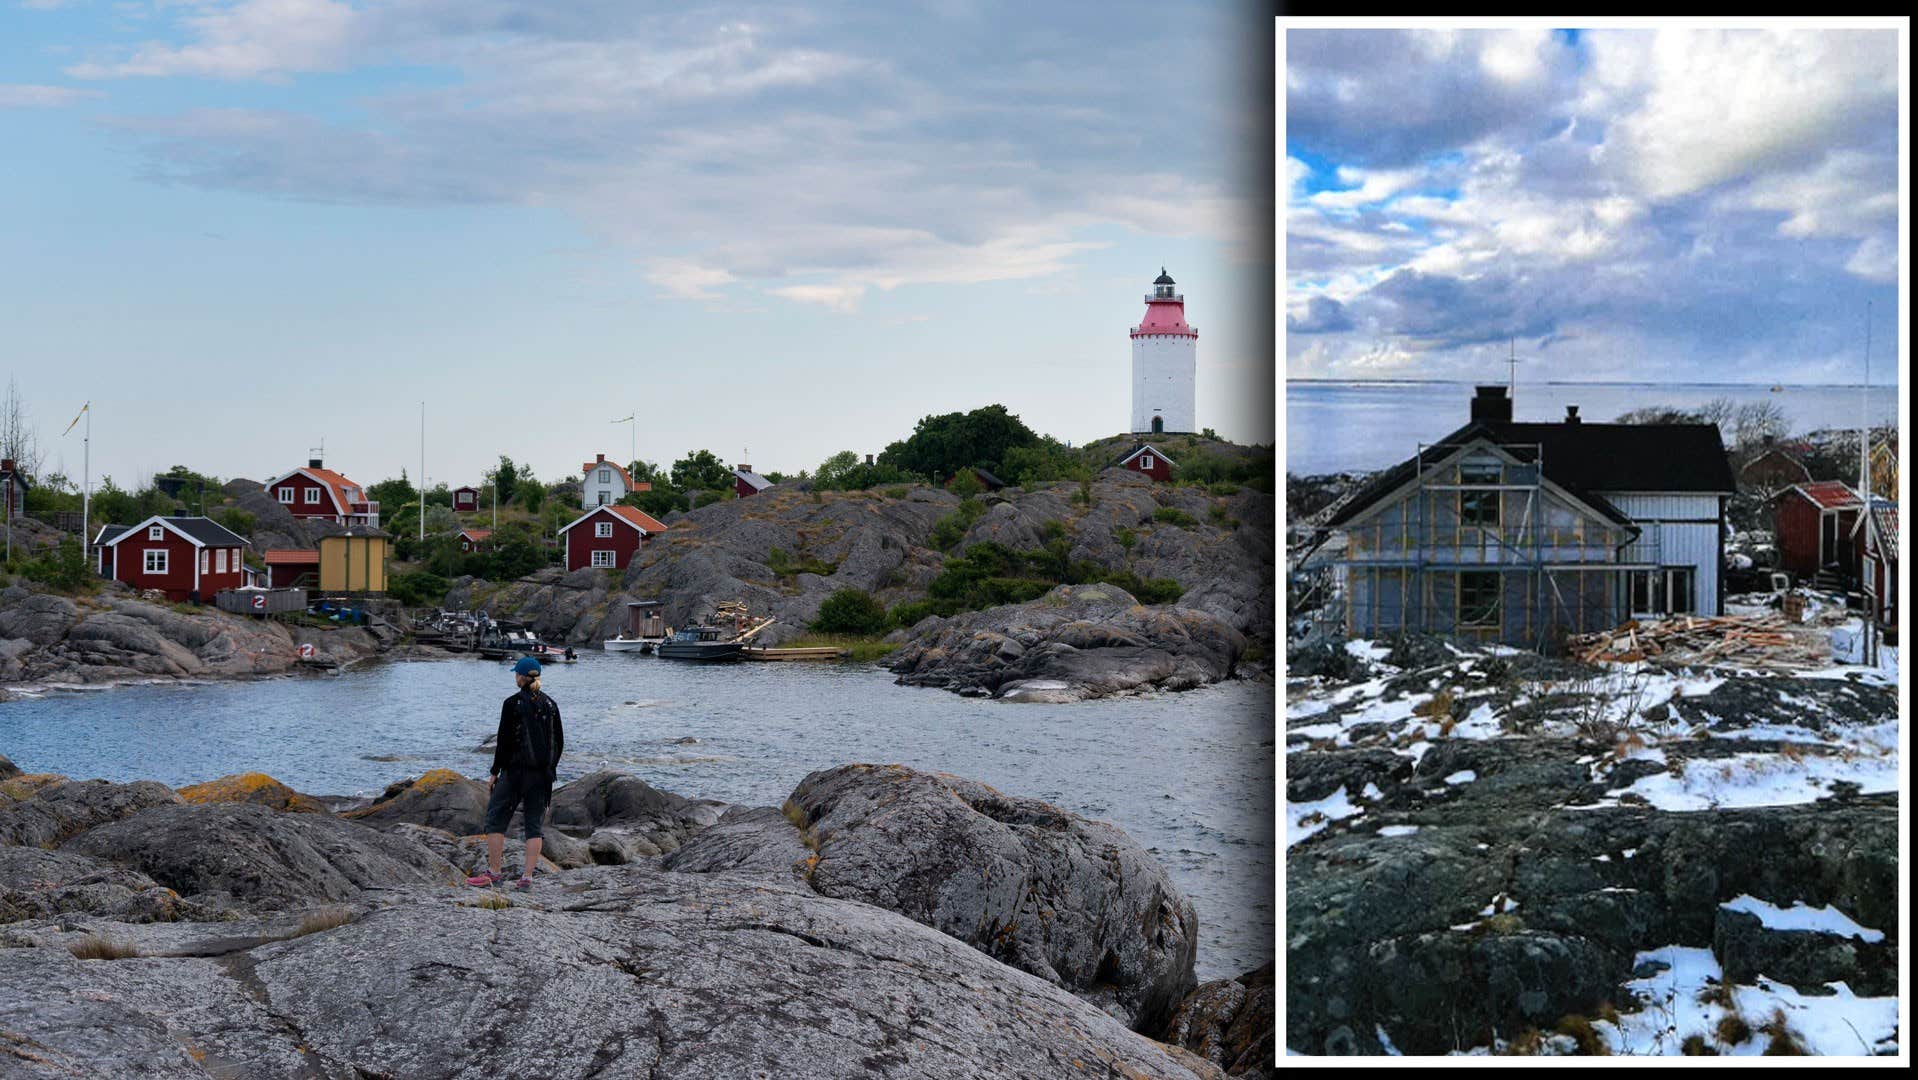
x=1526, y=534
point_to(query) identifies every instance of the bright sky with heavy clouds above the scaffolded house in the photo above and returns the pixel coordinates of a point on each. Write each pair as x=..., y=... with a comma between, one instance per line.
x=1627, y=206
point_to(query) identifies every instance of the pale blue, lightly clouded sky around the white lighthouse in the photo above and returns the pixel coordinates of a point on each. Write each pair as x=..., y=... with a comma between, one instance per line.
x=245, y=229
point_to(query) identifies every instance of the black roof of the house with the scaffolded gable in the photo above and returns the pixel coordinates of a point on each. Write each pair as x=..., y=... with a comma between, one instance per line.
x=1585, y=459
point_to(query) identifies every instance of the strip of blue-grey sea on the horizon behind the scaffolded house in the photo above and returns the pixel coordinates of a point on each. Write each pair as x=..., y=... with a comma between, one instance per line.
x=1336, y=427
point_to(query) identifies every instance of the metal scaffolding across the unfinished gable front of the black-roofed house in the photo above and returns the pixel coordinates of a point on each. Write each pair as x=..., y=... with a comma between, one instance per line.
x=1478, y=546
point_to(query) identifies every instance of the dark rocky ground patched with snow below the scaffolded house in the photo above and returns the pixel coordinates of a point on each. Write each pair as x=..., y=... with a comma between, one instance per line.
x=1497, y=853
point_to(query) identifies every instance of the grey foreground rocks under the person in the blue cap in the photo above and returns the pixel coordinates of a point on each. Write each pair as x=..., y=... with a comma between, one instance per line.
x=881, y=922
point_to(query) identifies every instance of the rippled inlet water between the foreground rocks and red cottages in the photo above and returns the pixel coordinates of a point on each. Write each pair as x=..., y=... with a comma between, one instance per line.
x=1188, y=776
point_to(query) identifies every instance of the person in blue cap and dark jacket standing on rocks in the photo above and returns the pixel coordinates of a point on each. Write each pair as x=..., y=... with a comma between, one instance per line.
x=526, y=757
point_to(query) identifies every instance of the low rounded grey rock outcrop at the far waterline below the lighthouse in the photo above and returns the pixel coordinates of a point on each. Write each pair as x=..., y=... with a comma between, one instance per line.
x=1073, y=644
